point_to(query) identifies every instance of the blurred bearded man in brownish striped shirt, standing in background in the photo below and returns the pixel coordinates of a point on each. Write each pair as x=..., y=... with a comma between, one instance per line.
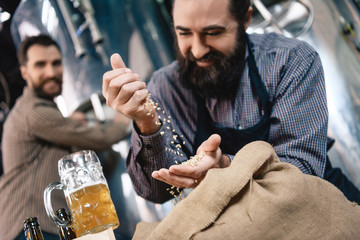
x=36, y=136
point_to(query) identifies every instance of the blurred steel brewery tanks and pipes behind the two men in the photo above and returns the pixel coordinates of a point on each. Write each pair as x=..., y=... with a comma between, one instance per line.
x=89, y=31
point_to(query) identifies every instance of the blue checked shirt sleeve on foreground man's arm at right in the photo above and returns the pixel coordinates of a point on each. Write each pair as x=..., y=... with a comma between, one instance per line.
x=299, y=117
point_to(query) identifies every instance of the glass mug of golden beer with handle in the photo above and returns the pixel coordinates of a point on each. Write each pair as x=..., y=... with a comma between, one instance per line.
x=86, y=192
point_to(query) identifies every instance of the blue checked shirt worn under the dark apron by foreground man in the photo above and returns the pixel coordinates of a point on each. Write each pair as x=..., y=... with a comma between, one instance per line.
x=293, y=75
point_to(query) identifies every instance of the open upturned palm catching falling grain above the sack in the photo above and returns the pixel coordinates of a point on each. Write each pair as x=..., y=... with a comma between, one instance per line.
x=190, y=176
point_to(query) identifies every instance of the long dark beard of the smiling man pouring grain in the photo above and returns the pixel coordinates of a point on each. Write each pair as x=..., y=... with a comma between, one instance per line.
x=222, y=77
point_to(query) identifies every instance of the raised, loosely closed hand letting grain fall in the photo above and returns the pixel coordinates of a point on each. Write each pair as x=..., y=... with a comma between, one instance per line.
x=125, y=93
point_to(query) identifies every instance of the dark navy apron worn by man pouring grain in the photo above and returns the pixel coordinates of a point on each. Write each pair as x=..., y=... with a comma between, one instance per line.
x=232, y=140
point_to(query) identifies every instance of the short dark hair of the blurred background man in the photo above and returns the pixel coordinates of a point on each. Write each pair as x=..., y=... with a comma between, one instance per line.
x=42, y=39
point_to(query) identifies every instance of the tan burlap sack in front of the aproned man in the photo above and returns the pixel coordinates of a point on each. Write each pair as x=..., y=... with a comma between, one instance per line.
x=258, y=197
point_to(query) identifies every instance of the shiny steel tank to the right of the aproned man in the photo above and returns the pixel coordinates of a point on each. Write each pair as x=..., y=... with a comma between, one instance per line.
x=332, y=27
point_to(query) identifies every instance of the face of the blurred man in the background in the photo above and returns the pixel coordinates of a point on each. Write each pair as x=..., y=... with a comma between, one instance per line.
x=43, y=70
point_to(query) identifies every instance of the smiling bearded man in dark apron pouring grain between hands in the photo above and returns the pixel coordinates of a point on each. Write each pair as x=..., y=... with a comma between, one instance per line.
x=226, y=89
